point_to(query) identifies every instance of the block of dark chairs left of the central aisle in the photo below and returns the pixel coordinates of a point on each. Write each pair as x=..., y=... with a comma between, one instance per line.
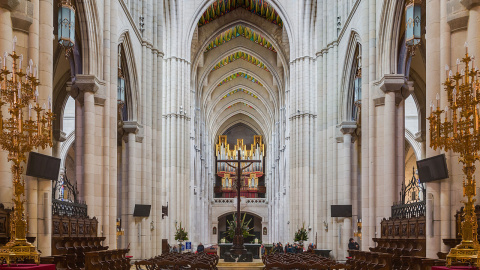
x=191, y=261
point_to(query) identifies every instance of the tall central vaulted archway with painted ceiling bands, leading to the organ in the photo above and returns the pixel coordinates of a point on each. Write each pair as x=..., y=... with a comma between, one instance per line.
x=240, y=54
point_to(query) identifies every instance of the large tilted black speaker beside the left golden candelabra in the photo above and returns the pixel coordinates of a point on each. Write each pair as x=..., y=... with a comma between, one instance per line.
x=43, y=166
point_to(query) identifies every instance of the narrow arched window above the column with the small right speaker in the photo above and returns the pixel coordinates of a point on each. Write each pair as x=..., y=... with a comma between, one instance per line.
x=356, y=84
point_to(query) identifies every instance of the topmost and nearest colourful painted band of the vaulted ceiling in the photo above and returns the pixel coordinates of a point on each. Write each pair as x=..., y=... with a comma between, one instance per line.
x=258, y=7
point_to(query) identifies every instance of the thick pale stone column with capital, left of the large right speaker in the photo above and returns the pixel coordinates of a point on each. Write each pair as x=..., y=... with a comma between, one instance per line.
x=391, y=85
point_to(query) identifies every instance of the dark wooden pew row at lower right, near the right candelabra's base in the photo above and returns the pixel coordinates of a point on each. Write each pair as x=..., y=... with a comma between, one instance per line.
x=361, y=260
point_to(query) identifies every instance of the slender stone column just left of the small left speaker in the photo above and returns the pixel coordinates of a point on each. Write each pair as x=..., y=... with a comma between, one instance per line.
x=131, y=128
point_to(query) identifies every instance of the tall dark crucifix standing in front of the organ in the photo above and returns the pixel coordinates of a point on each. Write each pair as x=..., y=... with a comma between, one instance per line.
x=238, y=247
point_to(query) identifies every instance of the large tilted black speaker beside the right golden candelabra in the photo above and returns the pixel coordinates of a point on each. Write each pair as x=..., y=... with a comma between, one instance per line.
x=433, y=168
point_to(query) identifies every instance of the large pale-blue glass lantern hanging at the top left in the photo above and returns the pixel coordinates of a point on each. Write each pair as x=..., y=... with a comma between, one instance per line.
x=66, y=26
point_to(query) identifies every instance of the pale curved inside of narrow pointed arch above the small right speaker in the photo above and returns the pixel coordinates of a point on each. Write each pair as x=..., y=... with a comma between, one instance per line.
x=346, y=92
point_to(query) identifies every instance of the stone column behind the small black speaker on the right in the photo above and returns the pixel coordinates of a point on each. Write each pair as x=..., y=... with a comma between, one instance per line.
x=347, y=128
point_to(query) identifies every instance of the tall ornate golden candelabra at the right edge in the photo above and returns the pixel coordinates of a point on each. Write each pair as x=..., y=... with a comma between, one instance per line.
x=460, y=133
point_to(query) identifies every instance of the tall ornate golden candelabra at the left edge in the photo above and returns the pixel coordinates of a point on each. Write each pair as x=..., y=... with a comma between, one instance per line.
x=23, y=131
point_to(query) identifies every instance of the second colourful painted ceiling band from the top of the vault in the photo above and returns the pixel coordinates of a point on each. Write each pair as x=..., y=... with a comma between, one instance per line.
x=240, y=31
